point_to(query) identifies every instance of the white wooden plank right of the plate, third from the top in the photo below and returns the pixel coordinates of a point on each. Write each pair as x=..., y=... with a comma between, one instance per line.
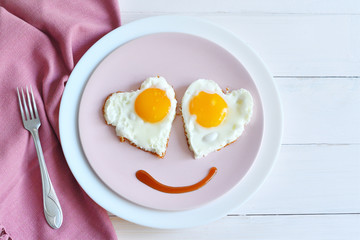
x=320, y=110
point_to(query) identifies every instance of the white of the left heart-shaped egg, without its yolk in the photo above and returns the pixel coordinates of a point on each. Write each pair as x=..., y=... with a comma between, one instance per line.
x=119, y=111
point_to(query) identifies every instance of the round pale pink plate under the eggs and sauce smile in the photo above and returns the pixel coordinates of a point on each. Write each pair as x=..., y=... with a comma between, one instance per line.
x=181, y=59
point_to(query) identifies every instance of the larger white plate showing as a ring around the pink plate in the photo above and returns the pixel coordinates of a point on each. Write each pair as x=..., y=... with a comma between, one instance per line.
x=112, y=202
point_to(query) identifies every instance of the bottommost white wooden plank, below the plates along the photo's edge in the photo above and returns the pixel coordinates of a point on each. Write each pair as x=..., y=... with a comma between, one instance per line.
x=252, y=227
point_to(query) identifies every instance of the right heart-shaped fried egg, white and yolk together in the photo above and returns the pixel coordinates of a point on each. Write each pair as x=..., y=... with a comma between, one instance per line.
x=212, y=118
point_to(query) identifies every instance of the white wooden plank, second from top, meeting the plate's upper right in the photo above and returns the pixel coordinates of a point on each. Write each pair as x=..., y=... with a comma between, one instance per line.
x=291, y=44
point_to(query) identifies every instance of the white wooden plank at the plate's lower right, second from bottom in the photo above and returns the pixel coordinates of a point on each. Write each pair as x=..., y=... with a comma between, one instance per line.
x=310, y=179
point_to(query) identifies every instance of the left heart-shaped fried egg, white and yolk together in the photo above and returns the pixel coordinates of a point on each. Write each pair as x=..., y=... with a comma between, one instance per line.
x=143, y=117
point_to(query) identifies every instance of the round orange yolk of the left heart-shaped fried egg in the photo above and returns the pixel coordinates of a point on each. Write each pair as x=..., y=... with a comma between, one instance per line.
x=152, y=105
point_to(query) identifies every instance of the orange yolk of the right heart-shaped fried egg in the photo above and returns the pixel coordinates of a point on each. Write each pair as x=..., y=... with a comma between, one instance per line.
x=210, y=109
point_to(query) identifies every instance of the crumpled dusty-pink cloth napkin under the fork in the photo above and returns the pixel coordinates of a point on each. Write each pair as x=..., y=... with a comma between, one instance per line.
x=40, y=42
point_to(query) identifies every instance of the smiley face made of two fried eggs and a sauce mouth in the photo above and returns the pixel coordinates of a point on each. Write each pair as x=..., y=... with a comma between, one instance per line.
x=211, y=118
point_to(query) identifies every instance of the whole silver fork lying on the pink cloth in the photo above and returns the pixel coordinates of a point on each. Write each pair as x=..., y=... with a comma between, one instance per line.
x=31, y=121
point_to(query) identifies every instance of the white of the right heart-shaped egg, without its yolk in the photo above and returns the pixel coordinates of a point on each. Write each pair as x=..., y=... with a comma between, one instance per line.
x=203, y=141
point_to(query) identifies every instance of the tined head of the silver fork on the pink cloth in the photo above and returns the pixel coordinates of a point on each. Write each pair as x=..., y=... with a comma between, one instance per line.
x=26, y=109
